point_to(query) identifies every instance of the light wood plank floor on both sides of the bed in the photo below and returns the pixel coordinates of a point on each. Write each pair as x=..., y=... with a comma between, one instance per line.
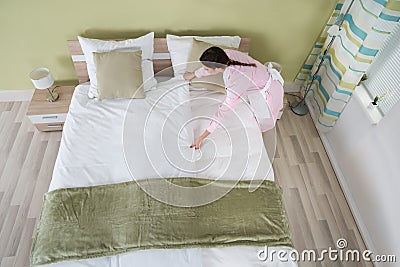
x=315, y=205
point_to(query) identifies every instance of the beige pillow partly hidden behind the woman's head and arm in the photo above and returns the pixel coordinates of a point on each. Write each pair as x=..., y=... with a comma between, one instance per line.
x=212, y=82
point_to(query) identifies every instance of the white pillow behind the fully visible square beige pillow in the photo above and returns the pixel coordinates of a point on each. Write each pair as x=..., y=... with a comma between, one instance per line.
x=144, y=43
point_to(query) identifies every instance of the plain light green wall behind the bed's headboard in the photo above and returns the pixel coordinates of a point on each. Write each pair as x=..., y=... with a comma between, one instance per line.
x=34, y=33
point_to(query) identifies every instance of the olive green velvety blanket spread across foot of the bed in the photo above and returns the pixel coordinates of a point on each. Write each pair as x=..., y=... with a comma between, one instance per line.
x=89, y=222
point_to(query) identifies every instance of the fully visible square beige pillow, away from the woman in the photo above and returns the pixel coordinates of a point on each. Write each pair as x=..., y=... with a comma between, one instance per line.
x=119, y=74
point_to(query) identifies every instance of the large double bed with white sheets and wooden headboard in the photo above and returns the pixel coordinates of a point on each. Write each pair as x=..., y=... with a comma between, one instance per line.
x=122, y=140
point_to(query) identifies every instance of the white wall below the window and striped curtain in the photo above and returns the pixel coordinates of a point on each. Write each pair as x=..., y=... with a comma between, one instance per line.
x=368, y=157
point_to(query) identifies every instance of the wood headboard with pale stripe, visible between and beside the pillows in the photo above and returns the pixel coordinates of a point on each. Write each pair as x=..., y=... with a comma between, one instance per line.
x=161, y=60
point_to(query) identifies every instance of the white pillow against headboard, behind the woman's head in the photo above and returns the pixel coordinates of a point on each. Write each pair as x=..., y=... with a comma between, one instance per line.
x=179, y=48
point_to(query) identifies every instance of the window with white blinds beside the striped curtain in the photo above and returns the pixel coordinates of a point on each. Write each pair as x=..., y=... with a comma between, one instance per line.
x=384, y=74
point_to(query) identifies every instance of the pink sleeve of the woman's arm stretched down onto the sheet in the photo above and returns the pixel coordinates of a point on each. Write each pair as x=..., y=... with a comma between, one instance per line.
x=229, y=104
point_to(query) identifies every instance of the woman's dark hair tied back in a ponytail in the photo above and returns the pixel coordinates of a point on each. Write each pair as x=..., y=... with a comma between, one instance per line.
x=215, y=57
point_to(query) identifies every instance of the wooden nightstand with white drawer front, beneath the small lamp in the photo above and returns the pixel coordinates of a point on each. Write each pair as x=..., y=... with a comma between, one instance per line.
x=50, y=116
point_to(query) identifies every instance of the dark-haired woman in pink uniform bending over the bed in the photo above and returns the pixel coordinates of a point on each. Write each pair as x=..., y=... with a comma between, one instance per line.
x=243, y=75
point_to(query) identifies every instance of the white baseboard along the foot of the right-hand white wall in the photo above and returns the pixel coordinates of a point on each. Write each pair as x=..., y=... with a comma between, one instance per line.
x=345, y=188
